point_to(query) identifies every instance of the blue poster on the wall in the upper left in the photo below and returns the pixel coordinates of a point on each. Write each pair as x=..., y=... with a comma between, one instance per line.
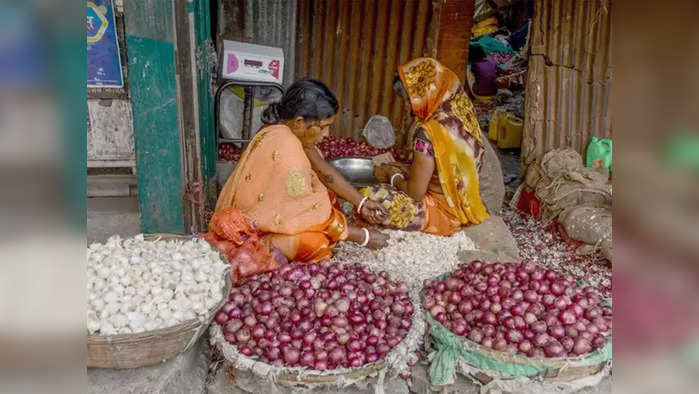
x=103, y=62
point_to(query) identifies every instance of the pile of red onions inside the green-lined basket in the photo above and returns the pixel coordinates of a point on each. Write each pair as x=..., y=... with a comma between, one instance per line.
x=520, y=308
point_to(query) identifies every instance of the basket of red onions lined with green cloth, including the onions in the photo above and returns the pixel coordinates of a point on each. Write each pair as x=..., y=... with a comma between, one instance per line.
x=520, y=320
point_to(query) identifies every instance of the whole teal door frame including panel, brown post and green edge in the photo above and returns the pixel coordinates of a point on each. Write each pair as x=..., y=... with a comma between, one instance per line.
x=168, y=47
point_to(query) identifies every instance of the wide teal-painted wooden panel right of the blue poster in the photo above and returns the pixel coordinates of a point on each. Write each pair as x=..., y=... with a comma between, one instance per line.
x=151, y=65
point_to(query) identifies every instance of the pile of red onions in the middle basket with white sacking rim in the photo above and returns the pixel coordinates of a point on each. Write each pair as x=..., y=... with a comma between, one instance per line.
x=318, y=316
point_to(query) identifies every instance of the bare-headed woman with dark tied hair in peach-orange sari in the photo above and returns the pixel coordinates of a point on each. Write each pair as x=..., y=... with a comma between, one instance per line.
x=281, y=181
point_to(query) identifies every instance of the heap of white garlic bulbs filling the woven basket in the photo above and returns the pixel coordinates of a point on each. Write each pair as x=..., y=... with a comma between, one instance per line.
x=135, y=285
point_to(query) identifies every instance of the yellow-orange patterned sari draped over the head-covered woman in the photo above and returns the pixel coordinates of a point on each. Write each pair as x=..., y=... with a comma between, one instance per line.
x=447, y=115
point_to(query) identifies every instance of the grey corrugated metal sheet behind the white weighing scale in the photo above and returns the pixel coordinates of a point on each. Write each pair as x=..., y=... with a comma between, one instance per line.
x=269, y=22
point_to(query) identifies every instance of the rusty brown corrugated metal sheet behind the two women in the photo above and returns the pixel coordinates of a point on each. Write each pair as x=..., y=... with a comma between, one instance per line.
x=355, y=48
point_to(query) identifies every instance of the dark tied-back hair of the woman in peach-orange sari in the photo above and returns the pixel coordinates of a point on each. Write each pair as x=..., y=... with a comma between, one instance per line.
x=307, y=98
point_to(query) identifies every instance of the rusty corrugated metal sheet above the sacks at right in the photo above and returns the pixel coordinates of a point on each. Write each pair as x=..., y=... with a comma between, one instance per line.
x=570, y=75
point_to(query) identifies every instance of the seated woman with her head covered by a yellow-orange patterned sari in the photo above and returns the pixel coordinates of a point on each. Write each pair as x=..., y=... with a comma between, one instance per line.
x=439, y=192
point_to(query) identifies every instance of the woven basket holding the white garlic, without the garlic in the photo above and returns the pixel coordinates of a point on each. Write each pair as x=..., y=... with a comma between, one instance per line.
x=151, y=347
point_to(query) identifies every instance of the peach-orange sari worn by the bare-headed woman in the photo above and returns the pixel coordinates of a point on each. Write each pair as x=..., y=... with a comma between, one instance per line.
x=274, y=185
